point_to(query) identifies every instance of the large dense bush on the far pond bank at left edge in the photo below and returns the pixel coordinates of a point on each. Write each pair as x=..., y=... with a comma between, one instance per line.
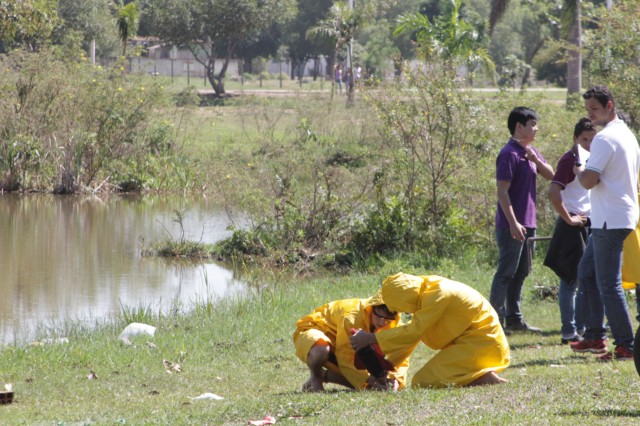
x=67, y=126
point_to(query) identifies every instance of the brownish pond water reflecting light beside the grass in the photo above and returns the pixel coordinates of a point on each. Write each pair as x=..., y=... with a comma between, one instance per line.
x=78, y=258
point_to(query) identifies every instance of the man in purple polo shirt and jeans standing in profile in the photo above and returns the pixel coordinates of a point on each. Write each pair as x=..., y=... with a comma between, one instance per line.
x=517, y=167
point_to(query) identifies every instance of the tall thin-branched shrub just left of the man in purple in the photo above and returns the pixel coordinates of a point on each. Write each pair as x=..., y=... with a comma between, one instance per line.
x=430, y=130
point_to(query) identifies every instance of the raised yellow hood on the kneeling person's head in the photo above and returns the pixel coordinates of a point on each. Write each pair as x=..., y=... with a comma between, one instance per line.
x=401, y=292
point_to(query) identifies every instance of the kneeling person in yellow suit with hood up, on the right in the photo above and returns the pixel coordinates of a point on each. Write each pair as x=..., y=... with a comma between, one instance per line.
x=447, y=316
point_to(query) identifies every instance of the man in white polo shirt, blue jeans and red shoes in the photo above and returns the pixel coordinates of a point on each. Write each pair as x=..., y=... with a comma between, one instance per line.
x=612, y=176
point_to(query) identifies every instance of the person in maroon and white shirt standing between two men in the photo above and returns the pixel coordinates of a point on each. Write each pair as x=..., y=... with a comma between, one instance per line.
x=571, y=201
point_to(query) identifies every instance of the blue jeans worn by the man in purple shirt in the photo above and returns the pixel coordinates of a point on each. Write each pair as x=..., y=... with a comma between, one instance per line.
x=513, y=268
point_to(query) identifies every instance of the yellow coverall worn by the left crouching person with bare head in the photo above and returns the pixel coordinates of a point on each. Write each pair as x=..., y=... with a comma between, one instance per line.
x=332, y=323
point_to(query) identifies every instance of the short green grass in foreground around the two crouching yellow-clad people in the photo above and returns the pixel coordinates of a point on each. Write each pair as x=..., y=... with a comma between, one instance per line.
x=241, y=350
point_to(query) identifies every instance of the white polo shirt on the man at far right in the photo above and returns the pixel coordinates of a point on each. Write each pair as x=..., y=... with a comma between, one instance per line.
x=615, y=155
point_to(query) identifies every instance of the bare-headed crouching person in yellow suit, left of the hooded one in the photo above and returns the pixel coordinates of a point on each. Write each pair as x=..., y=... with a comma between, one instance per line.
x=321, y=340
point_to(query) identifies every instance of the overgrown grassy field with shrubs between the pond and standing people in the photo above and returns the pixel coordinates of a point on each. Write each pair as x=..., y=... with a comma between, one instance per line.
x=318, y=177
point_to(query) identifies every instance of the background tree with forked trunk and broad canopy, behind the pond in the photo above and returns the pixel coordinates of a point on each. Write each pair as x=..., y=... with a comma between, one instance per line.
x=212, y=29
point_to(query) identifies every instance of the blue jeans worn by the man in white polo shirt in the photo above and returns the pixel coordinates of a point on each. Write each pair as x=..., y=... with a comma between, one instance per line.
x=600, y=274
